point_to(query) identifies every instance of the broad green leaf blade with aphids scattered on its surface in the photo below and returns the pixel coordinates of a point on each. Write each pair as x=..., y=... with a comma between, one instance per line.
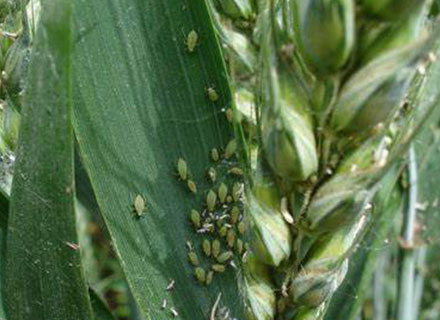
x=140, y=104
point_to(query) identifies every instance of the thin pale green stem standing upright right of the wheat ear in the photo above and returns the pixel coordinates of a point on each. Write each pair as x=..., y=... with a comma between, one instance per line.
x=407, y=262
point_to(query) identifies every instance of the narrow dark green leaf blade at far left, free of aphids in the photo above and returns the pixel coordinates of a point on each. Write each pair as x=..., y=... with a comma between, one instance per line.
x=44, y=279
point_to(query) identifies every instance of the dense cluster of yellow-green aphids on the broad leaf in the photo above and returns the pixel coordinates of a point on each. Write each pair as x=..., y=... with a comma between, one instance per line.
x=220, y=222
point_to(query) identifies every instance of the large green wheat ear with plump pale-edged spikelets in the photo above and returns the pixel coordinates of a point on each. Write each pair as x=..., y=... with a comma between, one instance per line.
x=332, y=87
